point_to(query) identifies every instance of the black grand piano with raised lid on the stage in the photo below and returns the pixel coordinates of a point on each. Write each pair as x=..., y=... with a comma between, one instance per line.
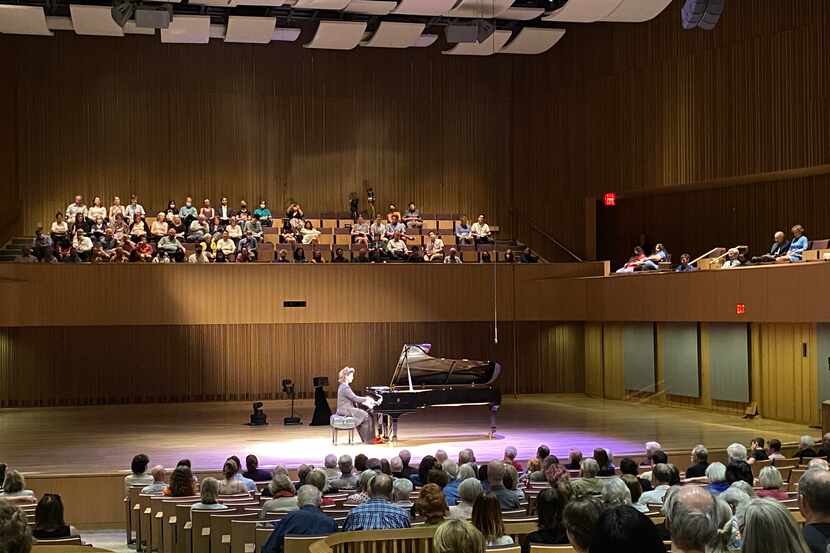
x=422, y=381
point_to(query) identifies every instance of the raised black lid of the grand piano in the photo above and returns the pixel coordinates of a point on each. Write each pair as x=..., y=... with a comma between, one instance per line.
x=416, y=364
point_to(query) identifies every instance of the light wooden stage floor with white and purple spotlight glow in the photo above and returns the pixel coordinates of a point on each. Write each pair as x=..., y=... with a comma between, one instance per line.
x=104, y=438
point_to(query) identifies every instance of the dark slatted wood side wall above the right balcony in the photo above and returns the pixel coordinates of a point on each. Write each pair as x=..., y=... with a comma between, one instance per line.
x=631, y=107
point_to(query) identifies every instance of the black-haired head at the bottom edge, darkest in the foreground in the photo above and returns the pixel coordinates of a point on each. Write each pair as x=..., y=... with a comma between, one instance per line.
x=625, y=529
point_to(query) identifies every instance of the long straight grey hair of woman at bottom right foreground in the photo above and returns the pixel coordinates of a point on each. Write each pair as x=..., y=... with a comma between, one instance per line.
x=769, y=528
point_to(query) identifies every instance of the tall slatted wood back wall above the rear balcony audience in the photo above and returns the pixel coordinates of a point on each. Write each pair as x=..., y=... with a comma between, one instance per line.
x=117, y=116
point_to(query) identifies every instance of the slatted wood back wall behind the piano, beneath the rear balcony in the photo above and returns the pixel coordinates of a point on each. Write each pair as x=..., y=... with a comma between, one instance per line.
x=47, y=365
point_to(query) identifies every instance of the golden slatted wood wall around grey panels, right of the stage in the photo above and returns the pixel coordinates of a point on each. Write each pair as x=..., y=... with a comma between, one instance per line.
x=782, y=380
